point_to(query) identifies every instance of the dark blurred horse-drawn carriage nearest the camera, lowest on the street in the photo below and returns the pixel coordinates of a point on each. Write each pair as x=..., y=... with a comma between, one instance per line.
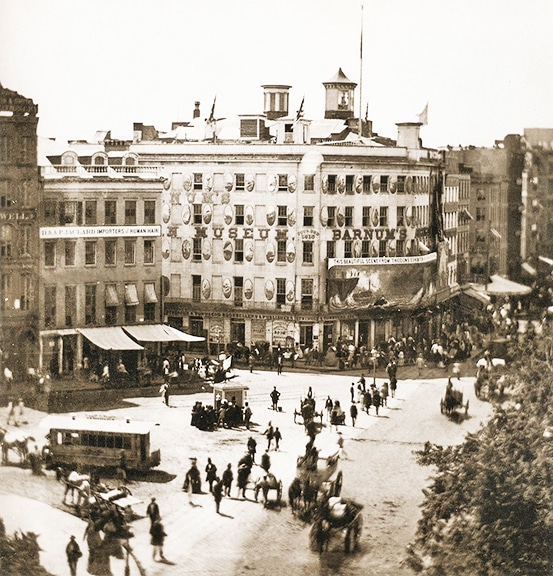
x=336, y=516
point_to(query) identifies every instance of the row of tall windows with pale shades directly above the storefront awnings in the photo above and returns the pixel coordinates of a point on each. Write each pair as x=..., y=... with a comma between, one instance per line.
x=114, y=305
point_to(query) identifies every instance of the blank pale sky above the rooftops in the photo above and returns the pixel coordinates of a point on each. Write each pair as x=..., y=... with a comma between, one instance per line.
x=484, y=67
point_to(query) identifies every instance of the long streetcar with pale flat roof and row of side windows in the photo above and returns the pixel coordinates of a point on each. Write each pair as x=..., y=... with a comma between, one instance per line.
x=99, y=442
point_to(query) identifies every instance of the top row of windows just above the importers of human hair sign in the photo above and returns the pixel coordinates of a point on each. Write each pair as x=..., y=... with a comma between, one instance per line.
x=92, y=212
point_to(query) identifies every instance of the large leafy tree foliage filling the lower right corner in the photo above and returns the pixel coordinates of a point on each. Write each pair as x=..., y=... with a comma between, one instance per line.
x=489, y=509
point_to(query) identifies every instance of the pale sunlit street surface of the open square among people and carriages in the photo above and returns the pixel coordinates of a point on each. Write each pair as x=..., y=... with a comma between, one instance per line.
x=379, y=471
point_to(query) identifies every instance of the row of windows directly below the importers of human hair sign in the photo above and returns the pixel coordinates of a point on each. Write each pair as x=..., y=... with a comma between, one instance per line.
x=111, y=252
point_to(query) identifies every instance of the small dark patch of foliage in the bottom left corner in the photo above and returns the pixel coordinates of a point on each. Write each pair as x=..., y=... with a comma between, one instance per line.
x=20, y=554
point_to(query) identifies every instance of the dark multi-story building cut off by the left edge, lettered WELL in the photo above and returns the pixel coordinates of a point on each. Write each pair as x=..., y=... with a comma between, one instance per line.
x=19, y=198
